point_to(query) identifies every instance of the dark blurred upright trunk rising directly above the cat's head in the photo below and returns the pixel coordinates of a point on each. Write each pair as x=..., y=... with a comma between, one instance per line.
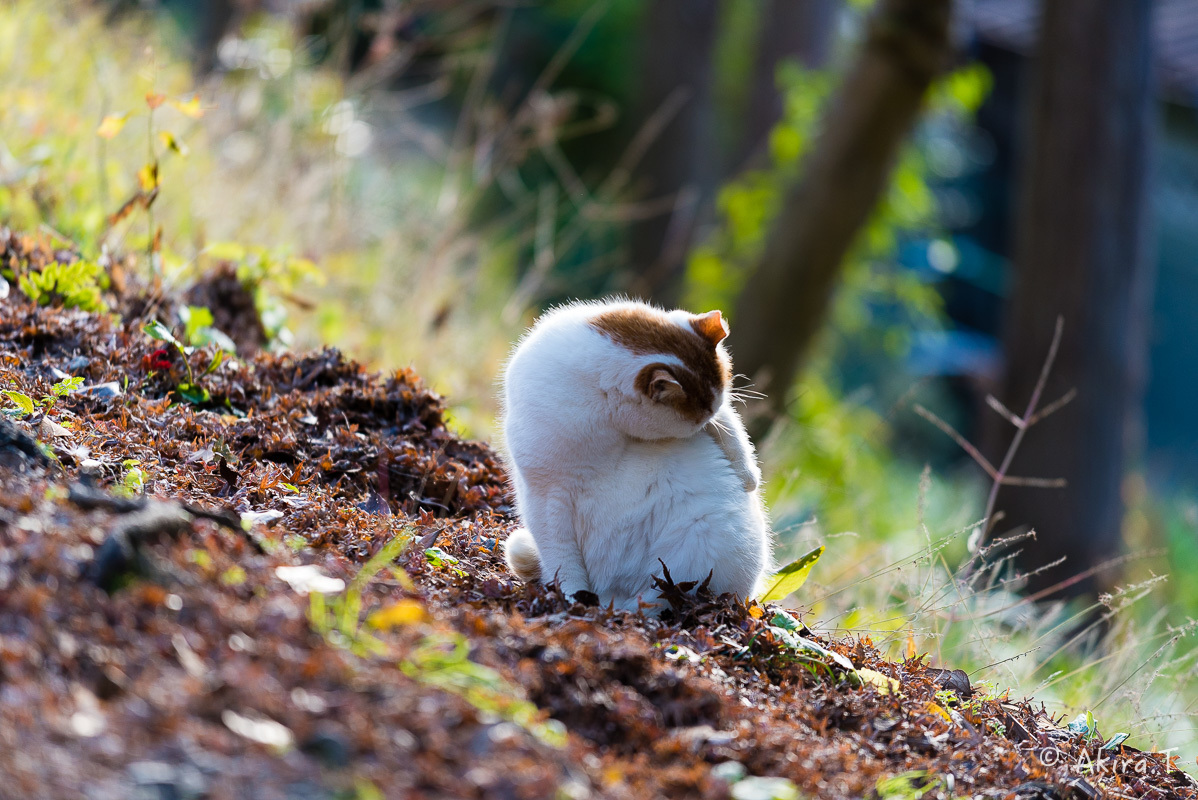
x=681, y=163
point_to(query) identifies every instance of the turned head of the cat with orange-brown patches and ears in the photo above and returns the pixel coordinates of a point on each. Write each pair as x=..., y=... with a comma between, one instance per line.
x=676, y=374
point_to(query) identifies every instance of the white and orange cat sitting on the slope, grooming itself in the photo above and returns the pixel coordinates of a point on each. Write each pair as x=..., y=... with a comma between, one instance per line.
x=625, y=450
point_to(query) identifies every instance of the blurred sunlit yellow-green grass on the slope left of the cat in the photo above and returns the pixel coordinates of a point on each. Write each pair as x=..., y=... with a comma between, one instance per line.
x=280, y=162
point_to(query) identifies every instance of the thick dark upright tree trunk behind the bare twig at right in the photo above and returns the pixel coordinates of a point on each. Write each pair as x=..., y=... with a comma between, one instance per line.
x=1082, y=253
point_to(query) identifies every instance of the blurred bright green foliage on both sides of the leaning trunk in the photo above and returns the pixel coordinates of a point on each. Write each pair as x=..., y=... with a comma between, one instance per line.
x=836, y=458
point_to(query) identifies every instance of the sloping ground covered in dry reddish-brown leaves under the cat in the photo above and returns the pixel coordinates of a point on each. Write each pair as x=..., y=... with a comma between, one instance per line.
x=156, y=640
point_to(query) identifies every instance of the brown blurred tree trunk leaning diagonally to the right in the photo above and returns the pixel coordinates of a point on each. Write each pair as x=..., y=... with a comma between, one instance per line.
x=786, y=299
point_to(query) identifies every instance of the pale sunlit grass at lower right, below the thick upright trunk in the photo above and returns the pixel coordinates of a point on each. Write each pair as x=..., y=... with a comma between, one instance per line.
x=1129, y=658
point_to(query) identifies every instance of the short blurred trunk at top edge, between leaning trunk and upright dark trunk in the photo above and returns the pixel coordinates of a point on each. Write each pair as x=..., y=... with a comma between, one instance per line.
x=801, y=31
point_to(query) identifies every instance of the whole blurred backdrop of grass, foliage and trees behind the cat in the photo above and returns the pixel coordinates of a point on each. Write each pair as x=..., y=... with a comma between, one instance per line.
x=957, y=241
